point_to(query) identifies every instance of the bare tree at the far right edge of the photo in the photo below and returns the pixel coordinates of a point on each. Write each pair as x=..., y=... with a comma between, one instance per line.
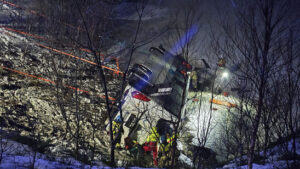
x=290, y=82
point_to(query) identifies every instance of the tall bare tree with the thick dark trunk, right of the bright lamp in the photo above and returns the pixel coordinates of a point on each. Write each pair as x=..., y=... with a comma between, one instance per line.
x=254, y=43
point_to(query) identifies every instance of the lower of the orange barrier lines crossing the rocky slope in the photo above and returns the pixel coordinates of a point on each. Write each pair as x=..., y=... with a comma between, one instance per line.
x=52, y=82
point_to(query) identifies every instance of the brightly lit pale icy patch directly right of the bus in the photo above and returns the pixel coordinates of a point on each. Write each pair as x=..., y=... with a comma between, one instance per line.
x=201, y=116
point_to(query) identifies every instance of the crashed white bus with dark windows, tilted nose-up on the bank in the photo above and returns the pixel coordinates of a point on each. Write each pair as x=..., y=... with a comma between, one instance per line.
x=155, y=92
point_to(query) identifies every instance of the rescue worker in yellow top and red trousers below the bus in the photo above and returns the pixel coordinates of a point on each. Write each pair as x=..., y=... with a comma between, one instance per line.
x=151, y=144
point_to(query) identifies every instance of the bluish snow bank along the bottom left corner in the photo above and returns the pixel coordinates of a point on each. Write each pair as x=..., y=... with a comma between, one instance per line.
x=20, y=156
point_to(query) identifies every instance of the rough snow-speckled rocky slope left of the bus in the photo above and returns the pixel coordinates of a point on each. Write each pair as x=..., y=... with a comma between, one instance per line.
x=32, y=105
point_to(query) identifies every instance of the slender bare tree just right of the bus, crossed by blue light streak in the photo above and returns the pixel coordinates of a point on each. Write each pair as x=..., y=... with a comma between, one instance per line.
x=181, y=40
